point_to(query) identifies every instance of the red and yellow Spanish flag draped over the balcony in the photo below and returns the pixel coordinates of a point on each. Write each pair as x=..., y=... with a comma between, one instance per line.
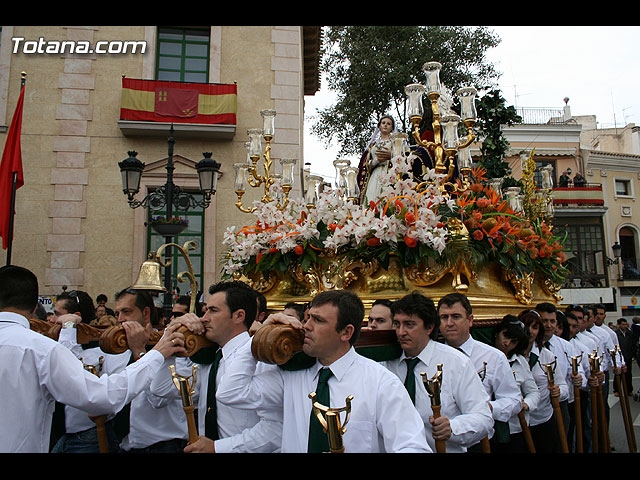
x=161, y=101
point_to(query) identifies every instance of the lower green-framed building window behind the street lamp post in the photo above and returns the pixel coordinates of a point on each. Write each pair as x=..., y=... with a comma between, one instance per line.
x=195, y=232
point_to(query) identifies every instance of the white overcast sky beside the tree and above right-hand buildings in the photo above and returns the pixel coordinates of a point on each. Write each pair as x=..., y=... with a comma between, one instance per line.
x=598, y=68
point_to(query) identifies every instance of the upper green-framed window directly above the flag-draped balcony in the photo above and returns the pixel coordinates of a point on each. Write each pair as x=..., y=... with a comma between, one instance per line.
x=183, y=54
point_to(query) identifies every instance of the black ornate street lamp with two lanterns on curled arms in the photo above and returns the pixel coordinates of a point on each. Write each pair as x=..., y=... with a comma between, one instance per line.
x=169, y=195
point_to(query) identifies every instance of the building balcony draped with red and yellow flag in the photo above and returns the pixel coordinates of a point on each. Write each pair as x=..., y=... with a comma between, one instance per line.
x=199, y=110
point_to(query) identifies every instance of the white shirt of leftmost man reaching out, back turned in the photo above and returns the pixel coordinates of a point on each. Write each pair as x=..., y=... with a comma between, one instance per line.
x=36, y=371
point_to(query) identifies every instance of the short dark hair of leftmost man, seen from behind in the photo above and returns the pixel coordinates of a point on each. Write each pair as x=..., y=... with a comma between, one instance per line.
x=18, y=288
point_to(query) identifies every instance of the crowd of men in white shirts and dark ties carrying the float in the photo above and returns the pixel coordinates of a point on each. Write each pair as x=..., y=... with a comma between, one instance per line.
x=514, y=391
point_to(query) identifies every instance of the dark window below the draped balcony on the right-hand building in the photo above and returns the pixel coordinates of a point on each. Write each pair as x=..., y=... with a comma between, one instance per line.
x=586, y=258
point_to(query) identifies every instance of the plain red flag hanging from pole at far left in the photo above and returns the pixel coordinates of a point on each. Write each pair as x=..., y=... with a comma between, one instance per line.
x=11, y=163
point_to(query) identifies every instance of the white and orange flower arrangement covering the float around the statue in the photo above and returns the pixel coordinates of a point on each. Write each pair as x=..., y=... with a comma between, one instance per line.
x=404, y=221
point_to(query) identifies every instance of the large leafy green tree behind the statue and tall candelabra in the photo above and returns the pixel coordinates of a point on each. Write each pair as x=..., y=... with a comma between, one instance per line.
x=369, y=66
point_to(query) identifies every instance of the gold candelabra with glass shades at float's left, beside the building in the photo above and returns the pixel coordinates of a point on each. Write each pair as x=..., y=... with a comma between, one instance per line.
x=247, y=172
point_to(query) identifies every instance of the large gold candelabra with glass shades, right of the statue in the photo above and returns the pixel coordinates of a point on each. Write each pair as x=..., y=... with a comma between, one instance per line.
x=446, y=149
